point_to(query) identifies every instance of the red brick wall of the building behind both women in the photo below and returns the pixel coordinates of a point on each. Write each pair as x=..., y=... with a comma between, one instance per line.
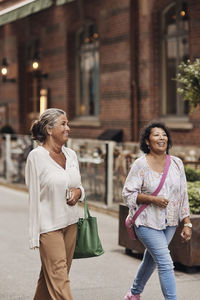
x=56, y=27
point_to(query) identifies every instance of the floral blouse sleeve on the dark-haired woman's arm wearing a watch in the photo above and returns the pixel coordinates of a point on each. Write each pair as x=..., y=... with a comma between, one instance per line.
x=184, y=210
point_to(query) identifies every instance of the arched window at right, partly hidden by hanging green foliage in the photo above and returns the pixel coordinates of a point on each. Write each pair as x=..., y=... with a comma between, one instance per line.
x=175, y=48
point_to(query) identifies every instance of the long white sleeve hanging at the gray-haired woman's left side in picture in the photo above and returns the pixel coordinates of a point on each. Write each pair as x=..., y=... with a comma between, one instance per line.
x=32, y=181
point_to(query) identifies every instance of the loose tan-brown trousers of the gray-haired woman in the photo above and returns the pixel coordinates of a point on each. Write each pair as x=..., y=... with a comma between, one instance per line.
x=56, y=253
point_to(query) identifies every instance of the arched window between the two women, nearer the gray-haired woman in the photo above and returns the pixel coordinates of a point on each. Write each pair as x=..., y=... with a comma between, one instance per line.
x=87, y=71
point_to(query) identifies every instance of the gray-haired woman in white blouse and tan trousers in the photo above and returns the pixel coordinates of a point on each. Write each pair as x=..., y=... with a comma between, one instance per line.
x=54, y=182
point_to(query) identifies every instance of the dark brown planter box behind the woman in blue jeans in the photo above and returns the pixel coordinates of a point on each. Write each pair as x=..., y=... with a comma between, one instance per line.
x=185, y=254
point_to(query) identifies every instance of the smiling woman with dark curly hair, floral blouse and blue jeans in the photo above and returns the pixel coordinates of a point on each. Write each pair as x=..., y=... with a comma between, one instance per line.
x=156, y=224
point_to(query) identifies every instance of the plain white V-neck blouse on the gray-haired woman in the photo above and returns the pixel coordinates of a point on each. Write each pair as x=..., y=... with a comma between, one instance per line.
x=47, y=182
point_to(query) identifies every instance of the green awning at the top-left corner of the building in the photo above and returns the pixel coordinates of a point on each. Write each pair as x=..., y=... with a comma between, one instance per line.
x=22, y=10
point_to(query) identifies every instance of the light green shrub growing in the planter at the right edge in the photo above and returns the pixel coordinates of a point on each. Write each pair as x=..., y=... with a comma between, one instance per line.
x=194, y=196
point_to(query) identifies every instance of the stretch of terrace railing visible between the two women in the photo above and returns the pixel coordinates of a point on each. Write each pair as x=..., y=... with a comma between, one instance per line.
x=104, y=166
